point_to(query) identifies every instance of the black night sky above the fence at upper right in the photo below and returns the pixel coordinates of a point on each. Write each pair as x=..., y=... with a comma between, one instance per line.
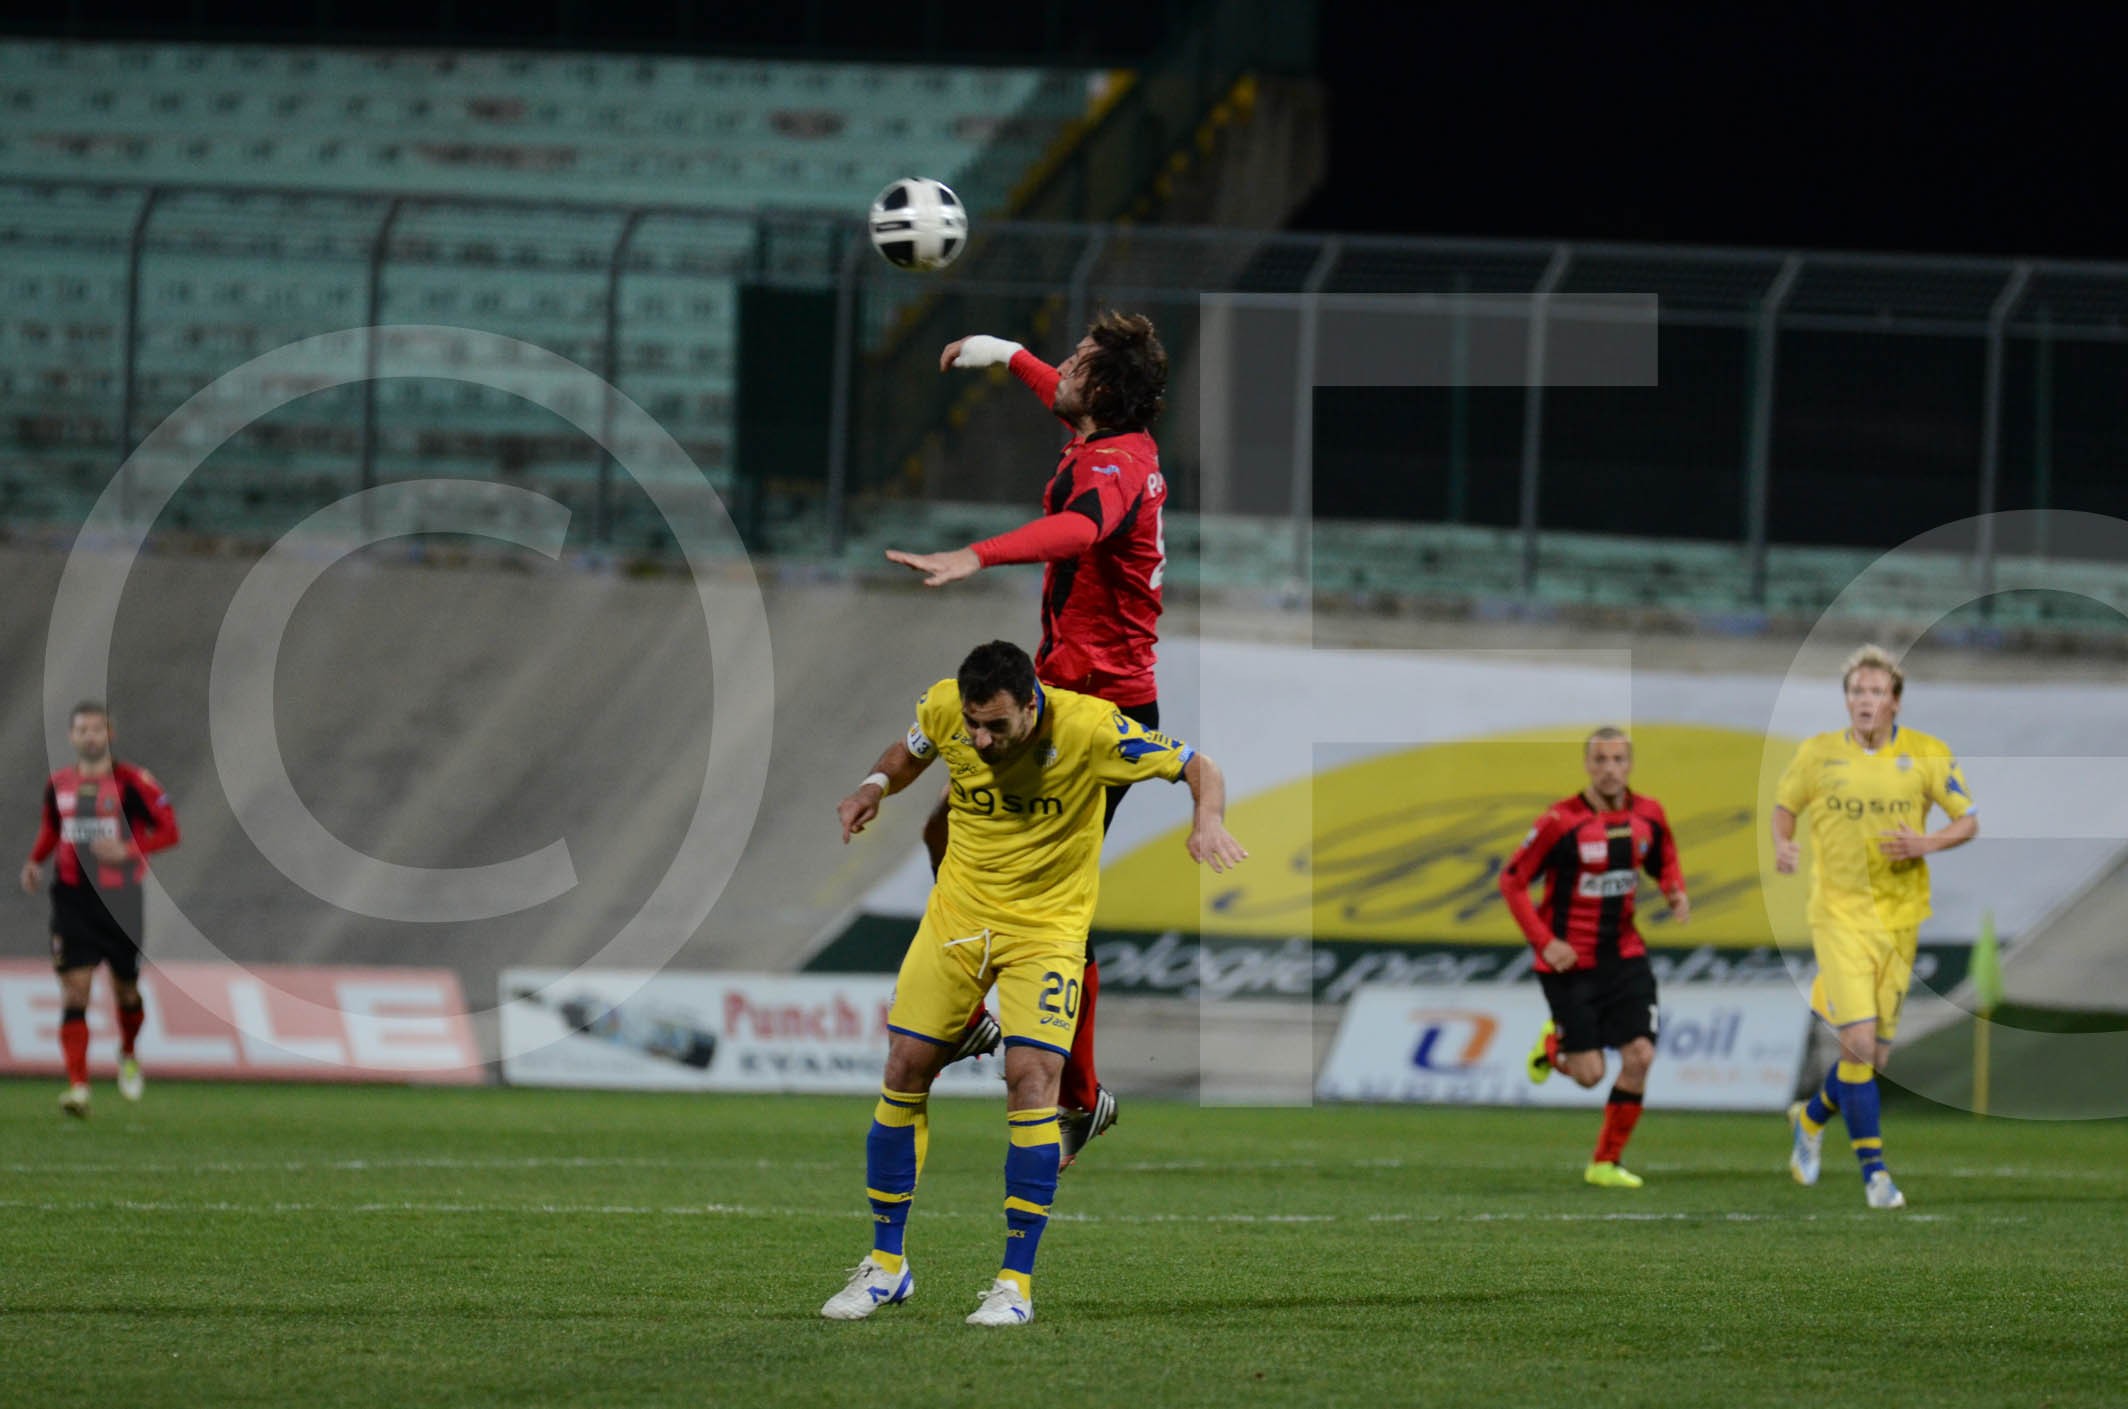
x=1801, y=127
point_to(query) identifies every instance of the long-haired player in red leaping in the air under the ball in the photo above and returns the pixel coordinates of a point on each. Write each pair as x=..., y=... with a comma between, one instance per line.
x=1105, y=552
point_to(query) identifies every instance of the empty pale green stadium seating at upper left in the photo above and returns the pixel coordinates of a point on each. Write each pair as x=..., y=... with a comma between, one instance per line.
x=305, y=150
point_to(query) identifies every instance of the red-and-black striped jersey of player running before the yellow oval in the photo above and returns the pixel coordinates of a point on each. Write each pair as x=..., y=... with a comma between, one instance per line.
x=1591, y=863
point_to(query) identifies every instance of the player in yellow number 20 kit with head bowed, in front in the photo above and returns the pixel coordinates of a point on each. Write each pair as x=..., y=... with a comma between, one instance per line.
x=1012, y=906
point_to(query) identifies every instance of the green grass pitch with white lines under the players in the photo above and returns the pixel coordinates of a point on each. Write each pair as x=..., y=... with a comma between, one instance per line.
x=325, y=1246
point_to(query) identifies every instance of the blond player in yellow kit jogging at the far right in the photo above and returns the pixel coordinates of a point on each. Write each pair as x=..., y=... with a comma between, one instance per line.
x=1867, y=793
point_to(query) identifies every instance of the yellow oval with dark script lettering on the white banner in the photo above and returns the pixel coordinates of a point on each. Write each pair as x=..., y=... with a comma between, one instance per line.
x=1410, y=846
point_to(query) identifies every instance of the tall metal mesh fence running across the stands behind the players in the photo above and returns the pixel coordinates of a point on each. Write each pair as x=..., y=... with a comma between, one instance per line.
x=1799, y=399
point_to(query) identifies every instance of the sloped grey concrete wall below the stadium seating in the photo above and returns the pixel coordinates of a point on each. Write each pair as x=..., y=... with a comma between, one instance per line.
x=471, y=712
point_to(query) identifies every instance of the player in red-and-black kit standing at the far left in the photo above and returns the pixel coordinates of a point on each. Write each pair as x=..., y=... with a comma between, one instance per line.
x=103, y=818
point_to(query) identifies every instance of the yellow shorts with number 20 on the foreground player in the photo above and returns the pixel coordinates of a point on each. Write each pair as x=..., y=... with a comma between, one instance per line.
x=952, y=965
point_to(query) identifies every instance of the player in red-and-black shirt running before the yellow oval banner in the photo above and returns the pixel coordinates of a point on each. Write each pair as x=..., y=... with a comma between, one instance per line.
x=1591, y=850
